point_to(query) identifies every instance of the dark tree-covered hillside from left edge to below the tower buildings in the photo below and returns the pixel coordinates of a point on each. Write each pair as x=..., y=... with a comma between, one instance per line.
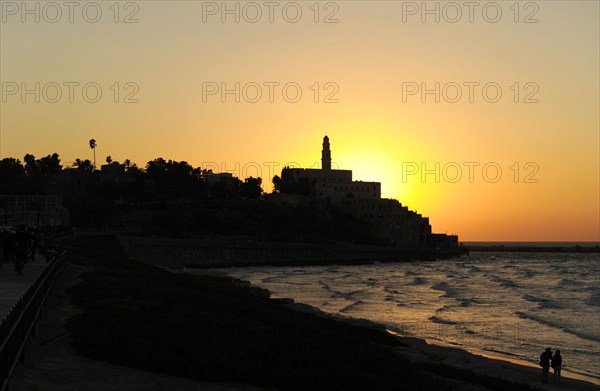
x=168, y=197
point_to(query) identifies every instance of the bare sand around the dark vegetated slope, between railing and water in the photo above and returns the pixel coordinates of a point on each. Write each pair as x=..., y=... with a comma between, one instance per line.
x=52, y=360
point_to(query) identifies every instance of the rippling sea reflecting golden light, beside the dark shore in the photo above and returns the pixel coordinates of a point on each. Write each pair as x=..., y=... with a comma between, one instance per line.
x=506, y=305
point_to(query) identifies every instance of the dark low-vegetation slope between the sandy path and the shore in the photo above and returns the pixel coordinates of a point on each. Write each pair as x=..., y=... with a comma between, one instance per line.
x=214, y=329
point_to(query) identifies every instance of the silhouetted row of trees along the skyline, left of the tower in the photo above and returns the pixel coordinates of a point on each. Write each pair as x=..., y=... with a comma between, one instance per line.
x=159, y=179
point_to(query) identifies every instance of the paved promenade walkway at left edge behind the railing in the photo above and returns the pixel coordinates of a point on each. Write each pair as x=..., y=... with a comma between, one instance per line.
x=12, y=285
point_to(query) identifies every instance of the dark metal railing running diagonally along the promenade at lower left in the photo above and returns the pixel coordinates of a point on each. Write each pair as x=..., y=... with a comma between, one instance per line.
x=19, y=323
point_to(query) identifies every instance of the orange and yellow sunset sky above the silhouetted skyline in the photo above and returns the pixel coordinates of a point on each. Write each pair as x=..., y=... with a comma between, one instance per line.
x=368, y=56
